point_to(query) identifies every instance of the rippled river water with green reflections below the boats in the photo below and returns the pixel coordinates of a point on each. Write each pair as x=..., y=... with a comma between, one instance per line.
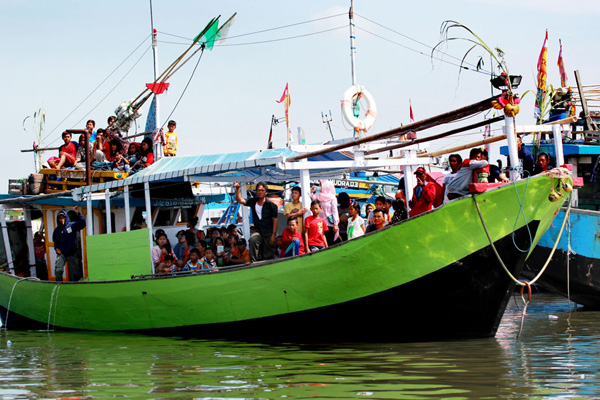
x=556, y=355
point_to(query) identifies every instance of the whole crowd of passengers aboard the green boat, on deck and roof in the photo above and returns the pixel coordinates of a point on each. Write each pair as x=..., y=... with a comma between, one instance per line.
x=332, y=218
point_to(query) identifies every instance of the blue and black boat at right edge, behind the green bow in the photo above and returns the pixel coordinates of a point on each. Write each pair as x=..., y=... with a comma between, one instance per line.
x=574, y=271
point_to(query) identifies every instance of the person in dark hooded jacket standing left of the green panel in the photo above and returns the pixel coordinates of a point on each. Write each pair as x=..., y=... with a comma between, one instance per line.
x=65, y=245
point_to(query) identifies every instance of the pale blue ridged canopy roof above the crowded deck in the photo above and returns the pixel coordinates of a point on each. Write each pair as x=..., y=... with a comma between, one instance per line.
x=267, y=165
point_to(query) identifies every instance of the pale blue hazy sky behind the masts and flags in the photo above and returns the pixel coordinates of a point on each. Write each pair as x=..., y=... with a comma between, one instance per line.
x=79, y=60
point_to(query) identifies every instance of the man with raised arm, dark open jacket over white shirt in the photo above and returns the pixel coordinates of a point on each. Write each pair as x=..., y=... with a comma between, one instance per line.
x=264, y=216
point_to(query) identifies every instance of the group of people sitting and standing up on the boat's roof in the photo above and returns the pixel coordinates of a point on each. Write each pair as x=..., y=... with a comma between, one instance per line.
x=109, y=151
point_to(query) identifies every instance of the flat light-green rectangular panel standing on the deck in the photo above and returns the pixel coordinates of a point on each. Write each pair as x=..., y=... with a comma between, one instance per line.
x=118, y=255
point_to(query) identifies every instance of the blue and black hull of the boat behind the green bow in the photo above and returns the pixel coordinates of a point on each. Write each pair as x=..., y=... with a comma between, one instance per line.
x=575, y=275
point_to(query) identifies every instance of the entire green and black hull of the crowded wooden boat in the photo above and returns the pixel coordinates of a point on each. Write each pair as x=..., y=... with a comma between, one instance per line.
x=431, y=277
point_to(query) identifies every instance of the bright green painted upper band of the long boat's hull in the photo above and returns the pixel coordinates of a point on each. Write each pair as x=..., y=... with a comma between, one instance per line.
x=361, y=267
